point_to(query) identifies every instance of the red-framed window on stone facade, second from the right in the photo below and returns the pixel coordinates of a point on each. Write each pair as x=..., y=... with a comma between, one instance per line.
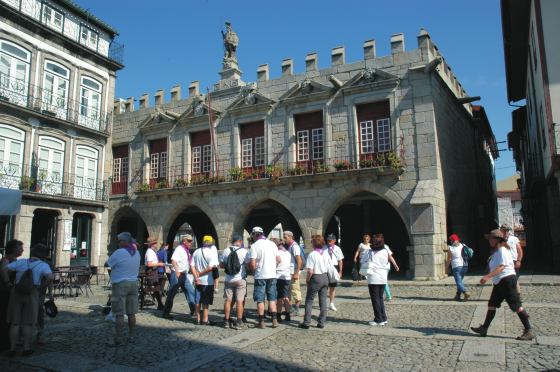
x=310, y=139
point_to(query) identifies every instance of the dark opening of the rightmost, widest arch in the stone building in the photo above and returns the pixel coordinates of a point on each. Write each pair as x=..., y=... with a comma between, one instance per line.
x=366, y=213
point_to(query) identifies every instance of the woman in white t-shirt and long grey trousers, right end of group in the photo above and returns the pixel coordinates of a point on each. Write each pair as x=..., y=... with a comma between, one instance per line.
x=317, y=282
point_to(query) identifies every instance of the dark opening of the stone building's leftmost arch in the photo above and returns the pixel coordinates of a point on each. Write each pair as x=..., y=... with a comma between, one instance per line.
x=127, y=220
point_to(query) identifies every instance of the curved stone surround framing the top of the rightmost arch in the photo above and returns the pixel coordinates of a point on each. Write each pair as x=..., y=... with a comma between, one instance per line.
x=343, y=193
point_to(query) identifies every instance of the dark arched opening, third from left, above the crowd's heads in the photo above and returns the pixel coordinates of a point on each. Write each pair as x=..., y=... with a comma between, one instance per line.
x=268, y=215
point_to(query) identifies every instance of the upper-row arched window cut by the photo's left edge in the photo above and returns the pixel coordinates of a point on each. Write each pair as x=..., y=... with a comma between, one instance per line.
x=14, y=72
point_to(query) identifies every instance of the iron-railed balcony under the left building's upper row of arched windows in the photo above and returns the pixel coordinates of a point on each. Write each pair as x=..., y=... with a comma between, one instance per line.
x=20, y=93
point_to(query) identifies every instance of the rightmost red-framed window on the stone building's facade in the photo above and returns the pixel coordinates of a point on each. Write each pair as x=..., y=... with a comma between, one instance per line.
x=374, y=128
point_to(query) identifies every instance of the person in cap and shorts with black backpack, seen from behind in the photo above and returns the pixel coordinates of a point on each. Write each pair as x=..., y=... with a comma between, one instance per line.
x=235, y=288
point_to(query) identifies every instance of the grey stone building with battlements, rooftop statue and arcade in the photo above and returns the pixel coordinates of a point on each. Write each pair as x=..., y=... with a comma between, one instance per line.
x=386, y=145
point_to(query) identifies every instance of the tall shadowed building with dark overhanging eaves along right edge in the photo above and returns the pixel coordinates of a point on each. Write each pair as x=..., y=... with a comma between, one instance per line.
x=532, y=53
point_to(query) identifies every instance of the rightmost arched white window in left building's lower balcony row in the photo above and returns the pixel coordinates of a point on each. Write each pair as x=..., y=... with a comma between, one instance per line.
x=85, y=183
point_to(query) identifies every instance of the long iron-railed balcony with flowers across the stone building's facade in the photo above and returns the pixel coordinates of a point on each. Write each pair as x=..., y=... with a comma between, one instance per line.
x=342, y=159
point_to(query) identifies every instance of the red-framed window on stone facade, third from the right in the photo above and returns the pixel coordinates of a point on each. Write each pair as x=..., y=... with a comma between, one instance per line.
x=252, y=145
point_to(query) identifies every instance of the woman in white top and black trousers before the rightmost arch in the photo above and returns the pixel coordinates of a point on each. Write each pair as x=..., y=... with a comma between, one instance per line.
x=378, y=257
